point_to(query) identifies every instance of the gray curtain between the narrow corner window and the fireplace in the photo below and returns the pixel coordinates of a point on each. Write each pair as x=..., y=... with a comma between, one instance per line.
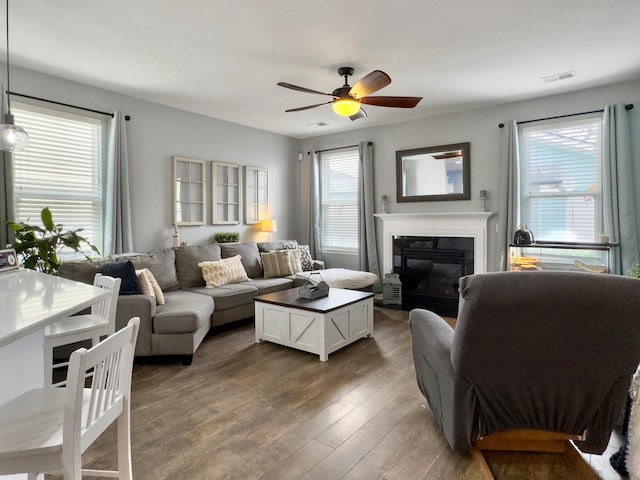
x=367, y=250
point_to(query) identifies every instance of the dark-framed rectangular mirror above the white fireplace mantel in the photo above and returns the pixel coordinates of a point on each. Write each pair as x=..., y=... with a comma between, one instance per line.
x=434, y=173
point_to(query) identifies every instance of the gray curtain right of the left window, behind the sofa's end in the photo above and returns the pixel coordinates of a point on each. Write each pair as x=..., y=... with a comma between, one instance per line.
x=118, y=232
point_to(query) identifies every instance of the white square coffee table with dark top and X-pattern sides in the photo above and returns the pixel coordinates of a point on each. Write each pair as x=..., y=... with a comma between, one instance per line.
x=319, y=326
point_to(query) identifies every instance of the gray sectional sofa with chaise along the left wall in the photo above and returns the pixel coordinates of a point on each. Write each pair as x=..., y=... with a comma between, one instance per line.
x=190, y=310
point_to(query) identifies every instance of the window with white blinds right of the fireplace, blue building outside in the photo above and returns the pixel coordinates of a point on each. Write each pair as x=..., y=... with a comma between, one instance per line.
x=561, y=179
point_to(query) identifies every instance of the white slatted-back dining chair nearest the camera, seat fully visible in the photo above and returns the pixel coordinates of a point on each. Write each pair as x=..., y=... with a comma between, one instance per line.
x=46, y=430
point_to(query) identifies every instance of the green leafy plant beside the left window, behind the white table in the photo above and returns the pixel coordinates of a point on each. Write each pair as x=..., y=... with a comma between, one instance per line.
x=40, y=247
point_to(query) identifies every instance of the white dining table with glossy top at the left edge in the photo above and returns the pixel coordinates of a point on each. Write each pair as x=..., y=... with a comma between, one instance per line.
x=29, y=301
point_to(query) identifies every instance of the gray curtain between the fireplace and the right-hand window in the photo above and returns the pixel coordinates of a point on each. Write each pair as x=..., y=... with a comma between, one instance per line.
x=508, y=197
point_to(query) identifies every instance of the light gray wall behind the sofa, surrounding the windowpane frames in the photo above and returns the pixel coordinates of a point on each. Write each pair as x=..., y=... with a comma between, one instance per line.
x=156, y=133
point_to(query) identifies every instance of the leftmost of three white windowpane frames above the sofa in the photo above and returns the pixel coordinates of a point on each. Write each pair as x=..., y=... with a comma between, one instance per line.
x=188, y=191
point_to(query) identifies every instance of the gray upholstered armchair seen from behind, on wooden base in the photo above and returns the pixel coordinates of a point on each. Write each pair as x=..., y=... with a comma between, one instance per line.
x=531, y=352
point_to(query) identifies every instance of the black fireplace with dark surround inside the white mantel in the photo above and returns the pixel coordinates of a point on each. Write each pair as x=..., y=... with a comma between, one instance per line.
x=430, y=269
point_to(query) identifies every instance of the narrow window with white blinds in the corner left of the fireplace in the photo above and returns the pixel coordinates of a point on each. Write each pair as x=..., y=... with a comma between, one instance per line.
x=339, y=200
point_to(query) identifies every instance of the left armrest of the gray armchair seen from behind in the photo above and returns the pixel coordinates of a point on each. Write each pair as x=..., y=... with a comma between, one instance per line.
x=450, y=396
